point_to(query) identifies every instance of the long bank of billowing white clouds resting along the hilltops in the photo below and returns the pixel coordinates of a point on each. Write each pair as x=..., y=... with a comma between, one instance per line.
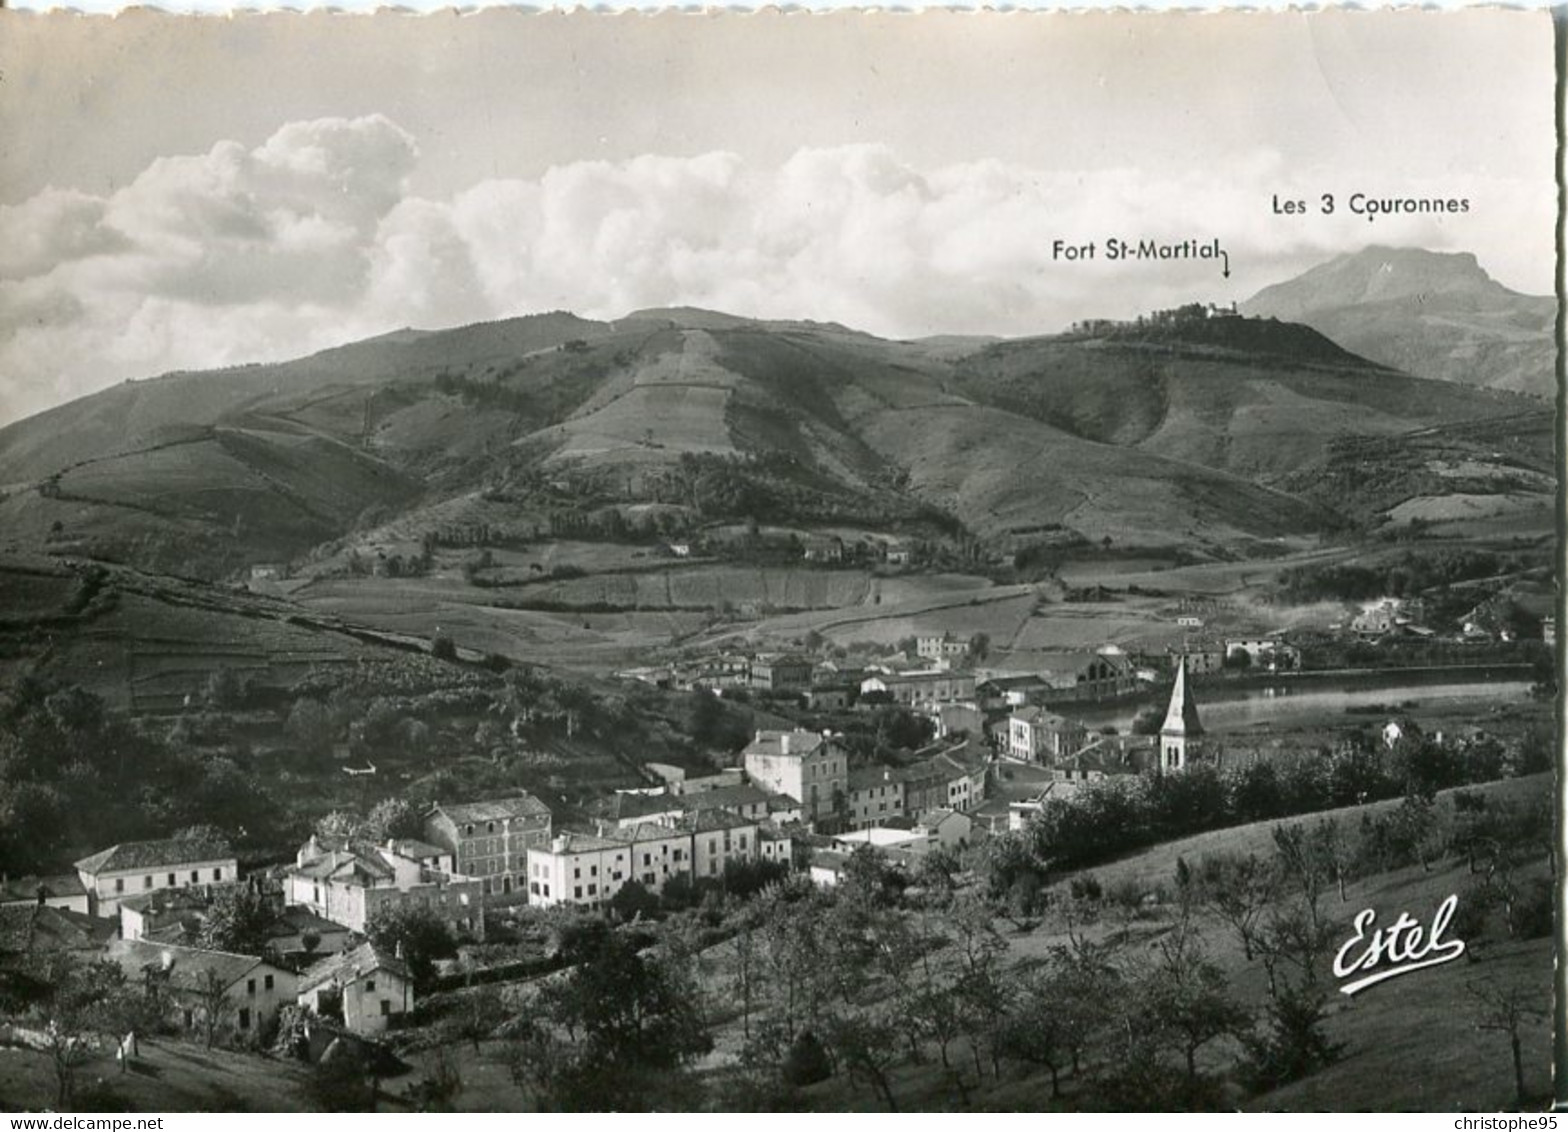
x=313, y=239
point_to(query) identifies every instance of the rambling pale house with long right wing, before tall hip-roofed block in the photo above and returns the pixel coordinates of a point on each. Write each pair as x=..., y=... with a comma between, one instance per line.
x=350, y=887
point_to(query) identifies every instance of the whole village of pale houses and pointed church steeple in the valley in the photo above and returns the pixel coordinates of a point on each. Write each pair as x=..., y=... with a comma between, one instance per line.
x=319, y=949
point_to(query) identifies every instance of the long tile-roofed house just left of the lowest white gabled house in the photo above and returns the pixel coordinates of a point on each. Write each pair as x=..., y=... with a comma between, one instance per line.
x=252, y=989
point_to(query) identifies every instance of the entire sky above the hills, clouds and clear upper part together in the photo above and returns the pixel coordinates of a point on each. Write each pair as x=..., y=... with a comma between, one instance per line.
x=203, y=192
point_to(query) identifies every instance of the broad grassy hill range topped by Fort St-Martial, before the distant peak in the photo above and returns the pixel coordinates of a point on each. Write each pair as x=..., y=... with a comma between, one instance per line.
x=1192, y=434
